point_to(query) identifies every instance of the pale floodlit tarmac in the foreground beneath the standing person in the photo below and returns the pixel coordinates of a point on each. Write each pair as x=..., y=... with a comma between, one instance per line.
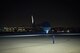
x=63, y=44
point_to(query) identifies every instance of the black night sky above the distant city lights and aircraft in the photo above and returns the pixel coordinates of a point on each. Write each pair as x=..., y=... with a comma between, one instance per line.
x=57, y=13
